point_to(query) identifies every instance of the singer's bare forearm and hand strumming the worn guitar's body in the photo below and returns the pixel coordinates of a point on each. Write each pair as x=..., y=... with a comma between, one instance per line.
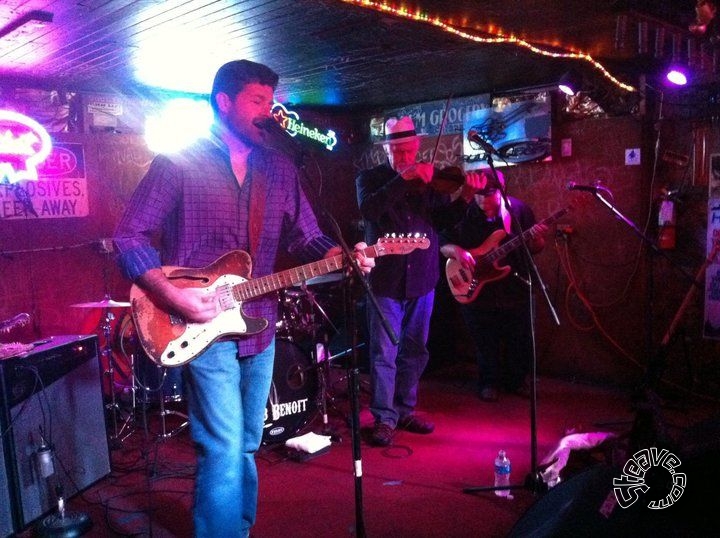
x=194, y=304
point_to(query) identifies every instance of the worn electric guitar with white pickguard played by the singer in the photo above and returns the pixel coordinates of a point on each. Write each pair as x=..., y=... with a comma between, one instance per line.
x=170, y=340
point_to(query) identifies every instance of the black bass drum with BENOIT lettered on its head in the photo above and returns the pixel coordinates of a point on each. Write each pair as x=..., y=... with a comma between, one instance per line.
x=293, y=393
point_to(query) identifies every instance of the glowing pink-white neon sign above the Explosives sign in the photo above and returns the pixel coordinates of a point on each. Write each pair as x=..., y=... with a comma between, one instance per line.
x=24, y=144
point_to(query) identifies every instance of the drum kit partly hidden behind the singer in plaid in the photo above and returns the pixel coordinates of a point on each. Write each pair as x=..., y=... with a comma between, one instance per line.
x=299, y=388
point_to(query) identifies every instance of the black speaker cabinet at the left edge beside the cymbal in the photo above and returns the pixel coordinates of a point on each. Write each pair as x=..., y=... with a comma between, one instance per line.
x=51, y=398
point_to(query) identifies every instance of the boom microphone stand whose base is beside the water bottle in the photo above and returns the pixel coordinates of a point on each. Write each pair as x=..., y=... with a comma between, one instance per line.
x=533, y=482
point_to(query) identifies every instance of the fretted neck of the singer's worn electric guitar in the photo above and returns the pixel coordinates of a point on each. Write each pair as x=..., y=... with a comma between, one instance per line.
x=291, y=277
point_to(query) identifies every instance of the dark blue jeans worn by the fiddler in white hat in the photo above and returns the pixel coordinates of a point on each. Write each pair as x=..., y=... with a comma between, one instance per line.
x=395, y=370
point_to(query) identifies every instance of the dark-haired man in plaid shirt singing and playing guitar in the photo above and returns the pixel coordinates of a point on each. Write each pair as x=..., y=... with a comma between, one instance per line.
x=227, y=193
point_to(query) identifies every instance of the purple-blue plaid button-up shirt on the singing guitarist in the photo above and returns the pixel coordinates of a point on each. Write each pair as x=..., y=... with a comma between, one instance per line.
x=189, y=210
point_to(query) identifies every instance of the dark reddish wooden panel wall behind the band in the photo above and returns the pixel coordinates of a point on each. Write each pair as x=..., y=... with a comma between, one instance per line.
x=48, y=264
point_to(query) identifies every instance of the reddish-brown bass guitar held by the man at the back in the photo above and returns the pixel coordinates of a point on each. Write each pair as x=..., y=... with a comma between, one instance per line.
x=465, y=285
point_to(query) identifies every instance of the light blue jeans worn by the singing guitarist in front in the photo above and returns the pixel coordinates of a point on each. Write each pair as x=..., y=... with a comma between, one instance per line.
x=226, y=405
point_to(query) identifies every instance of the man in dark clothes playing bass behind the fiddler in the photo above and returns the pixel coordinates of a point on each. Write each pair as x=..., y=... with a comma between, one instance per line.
x=500, y=312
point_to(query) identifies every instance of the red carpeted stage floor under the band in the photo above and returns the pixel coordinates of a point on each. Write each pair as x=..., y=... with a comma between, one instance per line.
x=416, y=486
